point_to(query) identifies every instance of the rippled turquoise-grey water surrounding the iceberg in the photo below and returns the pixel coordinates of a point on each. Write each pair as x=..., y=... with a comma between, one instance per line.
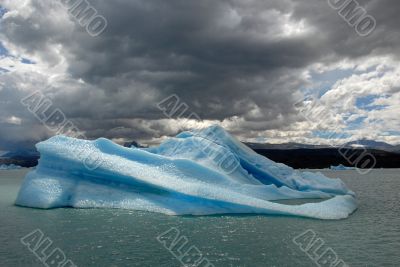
x=101, y=237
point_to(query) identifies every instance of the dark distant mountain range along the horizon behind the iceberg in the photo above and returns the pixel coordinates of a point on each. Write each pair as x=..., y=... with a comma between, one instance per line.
x=293, y=154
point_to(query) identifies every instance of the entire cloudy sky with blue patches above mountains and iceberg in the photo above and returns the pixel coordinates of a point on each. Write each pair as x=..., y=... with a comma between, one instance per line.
x=271, y=71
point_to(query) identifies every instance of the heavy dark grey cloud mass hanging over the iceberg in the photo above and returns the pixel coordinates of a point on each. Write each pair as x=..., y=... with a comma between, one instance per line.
x=223, y=58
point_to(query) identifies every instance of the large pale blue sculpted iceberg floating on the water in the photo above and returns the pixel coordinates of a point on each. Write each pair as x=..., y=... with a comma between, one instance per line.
x=198, y=172
